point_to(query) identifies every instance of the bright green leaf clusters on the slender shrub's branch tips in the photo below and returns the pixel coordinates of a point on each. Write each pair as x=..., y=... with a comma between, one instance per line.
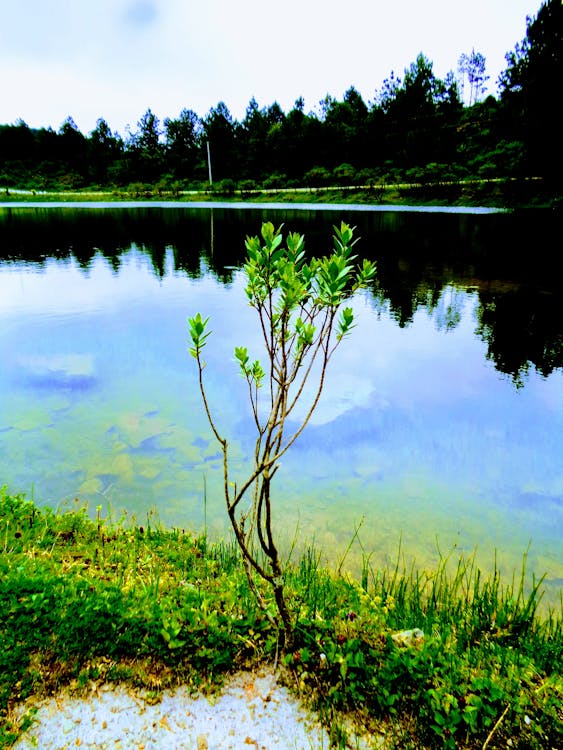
x=297, y=300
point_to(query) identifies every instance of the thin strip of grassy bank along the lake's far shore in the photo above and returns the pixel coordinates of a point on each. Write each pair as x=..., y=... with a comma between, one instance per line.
x=494, y=193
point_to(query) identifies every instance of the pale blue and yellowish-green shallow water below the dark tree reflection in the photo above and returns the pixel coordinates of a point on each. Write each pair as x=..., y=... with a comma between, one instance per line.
x=418, y=437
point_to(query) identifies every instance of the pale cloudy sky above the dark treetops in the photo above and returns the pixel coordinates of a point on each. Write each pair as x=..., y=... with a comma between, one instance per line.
x=117, y=58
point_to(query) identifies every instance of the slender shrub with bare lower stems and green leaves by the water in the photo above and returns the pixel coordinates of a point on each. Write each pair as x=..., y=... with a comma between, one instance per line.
x=299, y=304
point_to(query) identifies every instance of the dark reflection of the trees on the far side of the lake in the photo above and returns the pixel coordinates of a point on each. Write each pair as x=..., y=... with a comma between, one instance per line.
x=425, y=261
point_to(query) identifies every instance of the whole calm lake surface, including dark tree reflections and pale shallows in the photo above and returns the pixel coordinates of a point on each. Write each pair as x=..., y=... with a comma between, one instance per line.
x=442, y=419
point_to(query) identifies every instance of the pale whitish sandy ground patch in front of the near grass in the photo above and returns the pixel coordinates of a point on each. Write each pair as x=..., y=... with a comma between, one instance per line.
x=253, y=712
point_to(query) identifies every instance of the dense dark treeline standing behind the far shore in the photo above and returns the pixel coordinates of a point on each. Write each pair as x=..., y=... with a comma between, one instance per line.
x=416, y=129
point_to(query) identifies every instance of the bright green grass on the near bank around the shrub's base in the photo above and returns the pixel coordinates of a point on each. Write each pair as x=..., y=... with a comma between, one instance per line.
x=90, y=598
